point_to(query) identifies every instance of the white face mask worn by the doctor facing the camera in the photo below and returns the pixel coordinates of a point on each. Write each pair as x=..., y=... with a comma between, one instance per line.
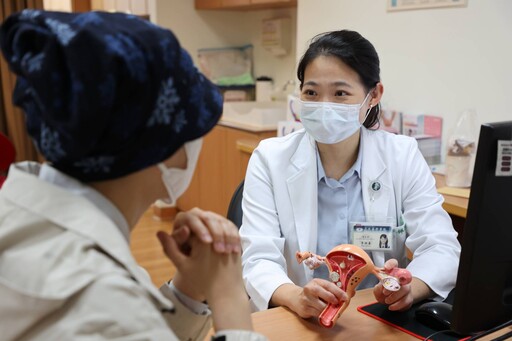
x=331, y=123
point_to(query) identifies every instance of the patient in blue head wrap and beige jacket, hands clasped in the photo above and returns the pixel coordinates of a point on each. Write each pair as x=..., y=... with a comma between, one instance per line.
x=117, y=108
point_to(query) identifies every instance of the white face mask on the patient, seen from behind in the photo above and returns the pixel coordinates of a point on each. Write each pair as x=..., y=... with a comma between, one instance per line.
x=177, y=180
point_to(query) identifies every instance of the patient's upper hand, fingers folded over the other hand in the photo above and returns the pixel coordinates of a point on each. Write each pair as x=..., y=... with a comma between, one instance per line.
x=207, y=226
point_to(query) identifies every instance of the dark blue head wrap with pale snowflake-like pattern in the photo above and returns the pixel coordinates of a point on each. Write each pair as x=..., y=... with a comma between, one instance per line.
x=105, y=94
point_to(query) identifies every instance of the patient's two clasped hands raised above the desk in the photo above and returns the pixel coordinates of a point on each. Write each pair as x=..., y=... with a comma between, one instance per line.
x=205, y=248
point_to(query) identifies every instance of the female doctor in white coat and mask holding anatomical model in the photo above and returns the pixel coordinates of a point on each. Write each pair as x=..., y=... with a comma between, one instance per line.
x=306, y=191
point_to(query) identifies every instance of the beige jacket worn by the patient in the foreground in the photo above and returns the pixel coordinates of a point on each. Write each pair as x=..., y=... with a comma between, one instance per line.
x=66, y=273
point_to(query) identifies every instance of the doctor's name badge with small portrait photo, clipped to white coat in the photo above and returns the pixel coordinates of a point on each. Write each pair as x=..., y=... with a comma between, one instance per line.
x=372, y=236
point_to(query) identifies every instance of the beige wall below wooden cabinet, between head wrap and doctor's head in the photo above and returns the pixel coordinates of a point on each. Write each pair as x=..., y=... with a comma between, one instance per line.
x=211, y=29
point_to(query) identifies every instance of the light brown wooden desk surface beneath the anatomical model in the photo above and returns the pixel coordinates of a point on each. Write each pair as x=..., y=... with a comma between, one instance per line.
x=281, y=324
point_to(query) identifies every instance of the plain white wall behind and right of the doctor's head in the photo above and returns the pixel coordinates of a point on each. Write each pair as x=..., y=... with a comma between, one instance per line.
x=435, y=61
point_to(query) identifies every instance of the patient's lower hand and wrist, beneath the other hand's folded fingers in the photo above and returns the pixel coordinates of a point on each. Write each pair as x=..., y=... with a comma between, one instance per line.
x=204, y=274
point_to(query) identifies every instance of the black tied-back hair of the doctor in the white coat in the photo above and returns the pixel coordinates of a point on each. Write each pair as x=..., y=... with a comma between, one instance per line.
x=355, y=51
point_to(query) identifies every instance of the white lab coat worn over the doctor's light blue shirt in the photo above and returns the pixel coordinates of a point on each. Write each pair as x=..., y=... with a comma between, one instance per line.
x=280, y=214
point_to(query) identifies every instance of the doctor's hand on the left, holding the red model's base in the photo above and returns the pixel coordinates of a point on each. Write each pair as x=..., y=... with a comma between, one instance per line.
x=310, y=300
